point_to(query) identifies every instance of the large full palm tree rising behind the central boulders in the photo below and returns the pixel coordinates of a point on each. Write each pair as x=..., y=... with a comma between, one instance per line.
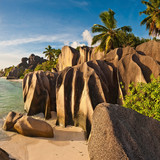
x=108, y=36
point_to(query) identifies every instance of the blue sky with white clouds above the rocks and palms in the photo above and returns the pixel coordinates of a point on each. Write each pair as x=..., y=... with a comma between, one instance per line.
x=29, y=26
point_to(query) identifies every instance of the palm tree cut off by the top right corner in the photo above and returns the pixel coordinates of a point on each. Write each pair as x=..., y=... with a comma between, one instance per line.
x=152, y=20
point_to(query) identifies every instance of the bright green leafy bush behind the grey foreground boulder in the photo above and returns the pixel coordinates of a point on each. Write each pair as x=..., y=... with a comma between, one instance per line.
x=145, y=98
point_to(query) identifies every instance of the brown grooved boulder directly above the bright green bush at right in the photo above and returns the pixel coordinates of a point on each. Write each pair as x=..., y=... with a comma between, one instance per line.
x=135, y=68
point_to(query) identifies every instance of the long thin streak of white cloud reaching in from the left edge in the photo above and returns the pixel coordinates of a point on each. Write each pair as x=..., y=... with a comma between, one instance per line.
x=39, y=39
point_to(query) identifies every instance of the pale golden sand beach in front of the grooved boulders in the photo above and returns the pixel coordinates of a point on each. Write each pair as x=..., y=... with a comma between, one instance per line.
x=68, y=143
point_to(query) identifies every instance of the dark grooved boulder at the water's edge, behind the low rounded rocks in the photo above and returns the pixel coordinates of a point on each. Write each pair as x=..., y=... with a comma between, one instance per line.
x=39, y=92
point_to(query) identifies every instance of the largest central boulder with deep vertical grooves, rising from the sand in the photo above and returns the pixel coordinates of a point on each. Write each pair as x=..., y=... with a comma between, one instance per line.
x=79, y=89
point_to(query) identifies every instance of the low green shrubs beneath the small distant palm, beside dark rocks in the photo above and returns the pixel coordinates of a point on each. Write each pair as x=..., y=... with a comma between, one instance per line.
x=46, y=66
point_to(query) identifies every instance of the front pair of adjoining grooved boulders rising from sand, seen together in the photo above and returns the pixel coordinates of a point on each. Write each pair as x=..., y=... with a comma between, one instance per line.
x=73, y=92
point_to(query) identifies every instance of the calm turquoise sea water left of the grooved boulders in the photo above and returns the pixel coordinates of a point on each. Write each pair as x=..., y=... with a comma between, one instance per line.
x=11, y=98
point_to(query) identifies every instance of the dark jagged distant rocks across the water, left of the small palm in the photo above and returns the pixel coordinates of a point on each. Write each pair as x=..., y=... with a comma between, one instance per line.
x=26, y=63
